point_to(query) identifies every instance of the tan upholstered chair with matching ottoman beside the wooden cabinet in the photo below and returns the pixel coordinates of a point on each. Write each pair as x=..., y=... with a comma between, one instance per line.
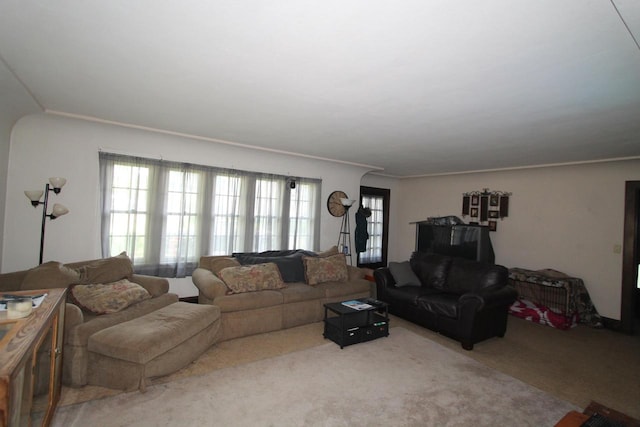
x=121, y=328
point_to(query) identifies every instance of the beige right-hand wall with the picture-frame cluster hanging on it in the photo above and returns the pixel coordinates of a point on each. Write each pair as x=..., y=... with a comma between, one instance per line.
x=568, y=218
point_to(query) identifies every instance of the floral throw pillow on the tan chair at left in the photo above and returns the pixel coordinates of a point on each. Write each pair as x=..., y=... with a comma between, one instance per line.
x=105, y=298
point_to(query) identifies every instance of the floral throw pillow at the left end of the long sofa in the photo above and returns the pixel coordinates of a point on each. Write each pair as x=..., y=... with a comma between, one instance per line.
x=251, y=278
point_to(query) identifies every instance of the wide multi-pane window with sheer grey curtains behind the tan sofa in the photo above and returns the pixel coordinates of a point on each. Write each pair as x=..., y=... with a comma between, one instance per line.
x=165, y=215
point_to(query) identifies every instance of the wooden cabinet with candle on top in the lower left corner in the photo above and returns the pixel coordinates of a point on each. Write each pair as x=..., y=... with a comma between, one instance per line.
x=31, y=362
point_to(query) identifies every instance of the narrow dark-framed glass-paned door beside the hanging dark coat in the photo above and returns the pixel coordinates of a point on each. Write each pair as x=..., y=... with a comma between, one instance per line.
x=377, y=201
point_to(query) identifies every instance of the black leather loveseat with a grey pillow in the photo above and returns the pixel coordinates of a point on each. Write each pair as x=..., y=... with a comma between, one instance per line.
x=462, y=299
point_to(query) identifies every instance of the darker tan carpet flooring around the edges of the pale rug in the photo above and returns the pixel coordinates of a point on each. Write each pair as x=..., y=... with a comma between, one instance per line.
x=578, y=365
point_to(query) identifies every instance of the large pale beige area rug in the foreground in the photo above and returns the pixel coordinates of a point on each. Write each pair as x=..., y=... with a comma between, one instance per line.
x=400, y=380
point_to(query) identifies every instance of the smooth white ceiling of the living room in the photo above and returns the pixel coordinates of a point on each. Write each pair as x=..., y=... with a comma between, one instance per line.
x=414, y=86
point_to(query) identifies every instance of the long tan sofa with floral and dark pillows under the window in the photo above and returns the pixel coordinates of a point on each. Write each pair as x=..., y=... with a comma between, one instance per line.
x=309, y=281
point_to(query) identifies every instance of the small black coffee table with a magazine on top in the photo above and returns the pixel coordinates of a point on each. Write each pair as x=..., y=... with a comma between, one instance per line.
x=345, y=325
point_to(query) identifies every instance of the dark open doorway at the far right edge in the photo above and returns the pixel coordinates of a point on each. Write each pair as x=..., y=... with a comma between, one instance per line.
x=630, y=298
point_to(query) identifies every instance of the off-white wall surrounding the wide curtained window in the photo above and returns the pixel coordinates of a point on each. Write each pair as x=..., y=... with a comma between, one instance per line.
x=44, y=145
